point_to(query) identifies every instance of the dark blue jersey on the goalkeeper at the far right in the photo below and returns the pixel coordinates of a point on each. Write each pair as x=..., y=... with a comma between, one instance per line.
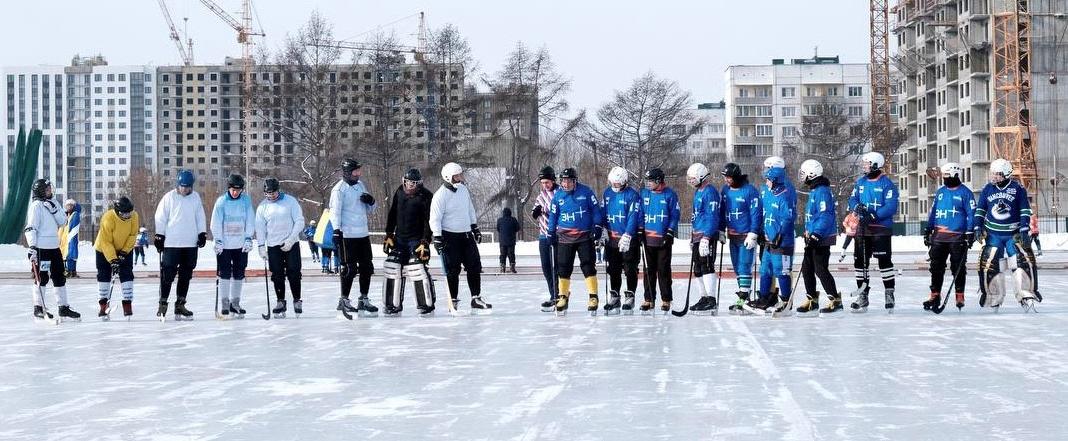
x=1003, y=210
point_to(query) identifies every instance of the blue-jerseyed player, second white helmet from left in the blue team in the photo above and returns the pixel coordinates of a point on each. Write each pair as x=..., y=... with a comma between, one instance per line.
x=706, y=231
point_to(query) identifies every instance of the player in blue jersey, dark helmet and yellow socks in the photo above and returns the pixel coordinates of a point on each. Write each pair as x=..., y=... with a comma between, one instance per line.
x=575, y=225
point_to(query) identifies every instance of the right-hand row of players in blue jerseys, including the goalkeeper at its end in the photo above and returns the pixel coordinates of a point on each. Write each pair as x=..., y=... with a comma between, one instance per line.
x=761, y=224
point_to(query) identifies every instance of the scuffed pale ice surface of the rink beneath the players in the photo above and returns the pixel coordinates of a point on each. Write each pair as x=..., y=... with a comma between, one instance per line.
x=524, y=375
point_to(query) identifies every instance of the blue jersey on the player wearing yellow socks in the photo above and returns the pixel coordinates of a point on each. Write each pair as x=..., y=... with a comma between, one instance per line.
x=573, y=215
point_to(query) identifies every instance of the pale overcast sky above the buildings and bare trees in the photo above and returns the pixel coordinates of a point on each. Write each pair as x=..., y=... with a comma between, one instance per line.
x=603, y=45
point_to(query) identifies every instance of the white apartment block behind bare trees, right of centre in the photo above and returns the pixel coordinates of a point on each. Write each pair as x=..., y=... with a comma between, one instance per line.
x=766, y=104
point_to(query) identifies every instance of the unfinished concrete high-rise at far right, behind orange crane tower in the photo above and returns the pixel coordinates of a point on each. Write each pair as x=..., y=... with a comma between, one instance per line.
x=945, y=58
